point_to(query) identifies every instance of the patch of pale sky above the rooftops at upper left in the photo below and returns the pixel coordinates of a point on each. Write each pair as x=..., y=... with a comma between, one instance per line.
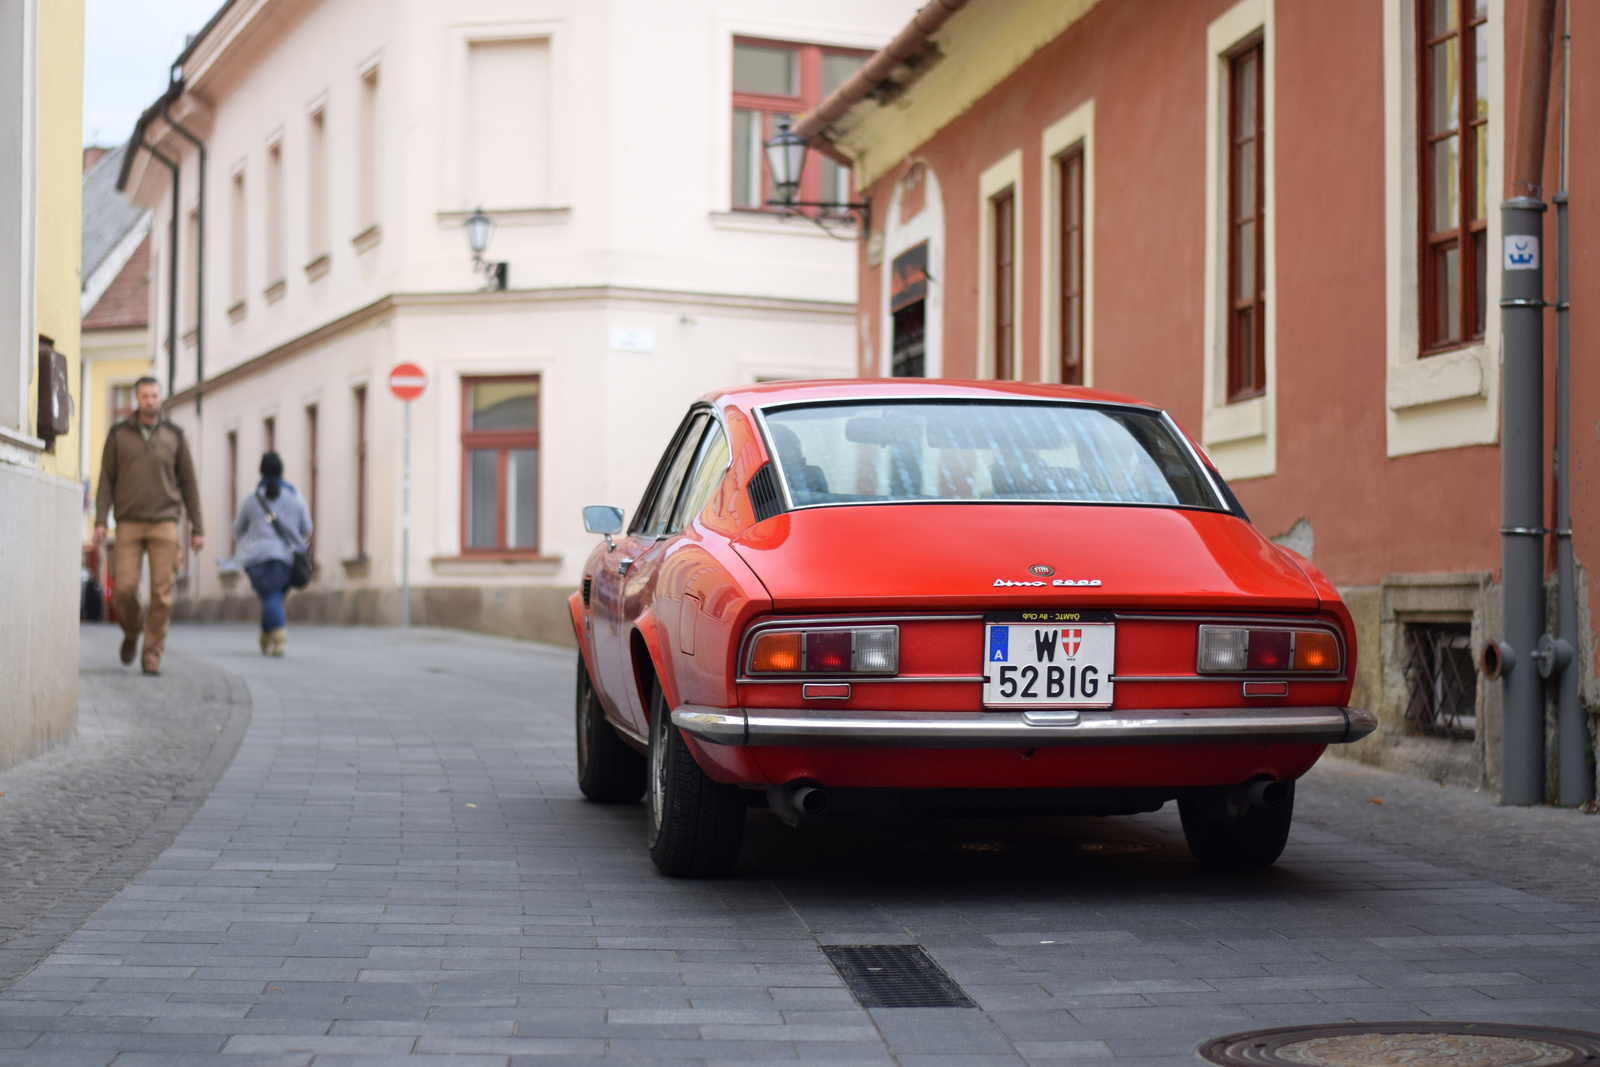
x=129, y=47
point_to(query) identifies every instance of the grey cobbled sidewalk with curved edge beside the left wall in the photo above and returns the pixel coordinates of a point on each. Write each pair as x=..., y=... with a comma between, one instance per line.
x=82, y=821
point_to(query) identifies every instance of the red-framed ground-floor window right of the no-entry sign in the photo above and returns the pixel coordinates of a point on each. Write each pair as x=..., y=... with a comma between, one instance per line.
x=500, y=455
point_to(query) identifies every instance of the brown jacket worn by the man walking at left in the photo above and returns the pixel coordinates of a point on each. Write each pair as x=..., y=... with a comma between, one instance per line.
x=148, y=482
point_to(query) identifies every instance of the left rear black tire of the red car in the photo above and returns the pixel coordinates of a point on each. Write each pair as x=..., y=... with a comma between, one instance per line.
x=692, y=825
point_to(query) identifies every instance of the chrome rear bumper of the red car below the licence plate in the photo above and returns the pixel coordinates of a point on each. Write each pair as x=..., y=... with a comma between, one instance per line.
x=1023, y=730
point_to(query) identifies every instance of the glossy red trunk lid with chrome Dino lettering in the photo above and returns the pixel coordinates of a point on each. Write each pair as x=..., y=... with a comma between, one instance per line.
x=980, y=556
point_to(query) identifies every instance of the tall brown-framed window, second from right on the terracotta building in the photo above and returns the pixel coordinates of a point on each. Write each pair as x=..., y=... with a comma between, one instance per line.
x=1247, y=292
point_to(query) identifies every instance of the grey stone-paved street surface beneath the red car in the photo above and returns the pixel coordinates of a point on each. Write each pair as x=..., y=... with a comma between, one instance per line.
x=398, y=868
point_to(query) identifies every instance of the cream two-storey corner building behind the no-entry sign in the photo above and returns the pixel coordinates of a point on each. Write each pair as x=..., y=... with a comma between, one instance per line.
x=615, y=150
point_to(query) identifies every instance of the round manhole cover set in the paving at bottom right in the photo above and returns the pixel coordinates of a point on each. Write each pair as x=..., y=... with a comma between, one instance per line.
x=1406, y=1045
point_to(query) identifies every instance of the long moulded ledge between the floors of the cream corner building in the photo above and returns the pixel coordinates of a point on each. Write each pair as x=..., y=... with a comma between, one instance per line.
x=399, y=303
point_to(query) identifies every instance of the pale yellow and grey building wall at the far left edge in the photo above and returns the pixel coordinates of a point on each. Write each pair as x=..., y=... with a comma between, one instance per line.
x=41, y=122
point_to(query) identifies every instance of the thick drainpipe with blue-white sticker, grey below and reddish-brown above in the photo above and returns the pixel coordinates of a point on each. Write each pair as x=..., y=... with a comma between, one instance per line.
x=1522, y=423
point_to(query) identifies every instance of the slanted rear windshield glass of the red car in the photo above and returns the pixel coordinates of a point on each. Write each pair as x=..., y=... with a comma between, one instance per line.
x=918, y=450
